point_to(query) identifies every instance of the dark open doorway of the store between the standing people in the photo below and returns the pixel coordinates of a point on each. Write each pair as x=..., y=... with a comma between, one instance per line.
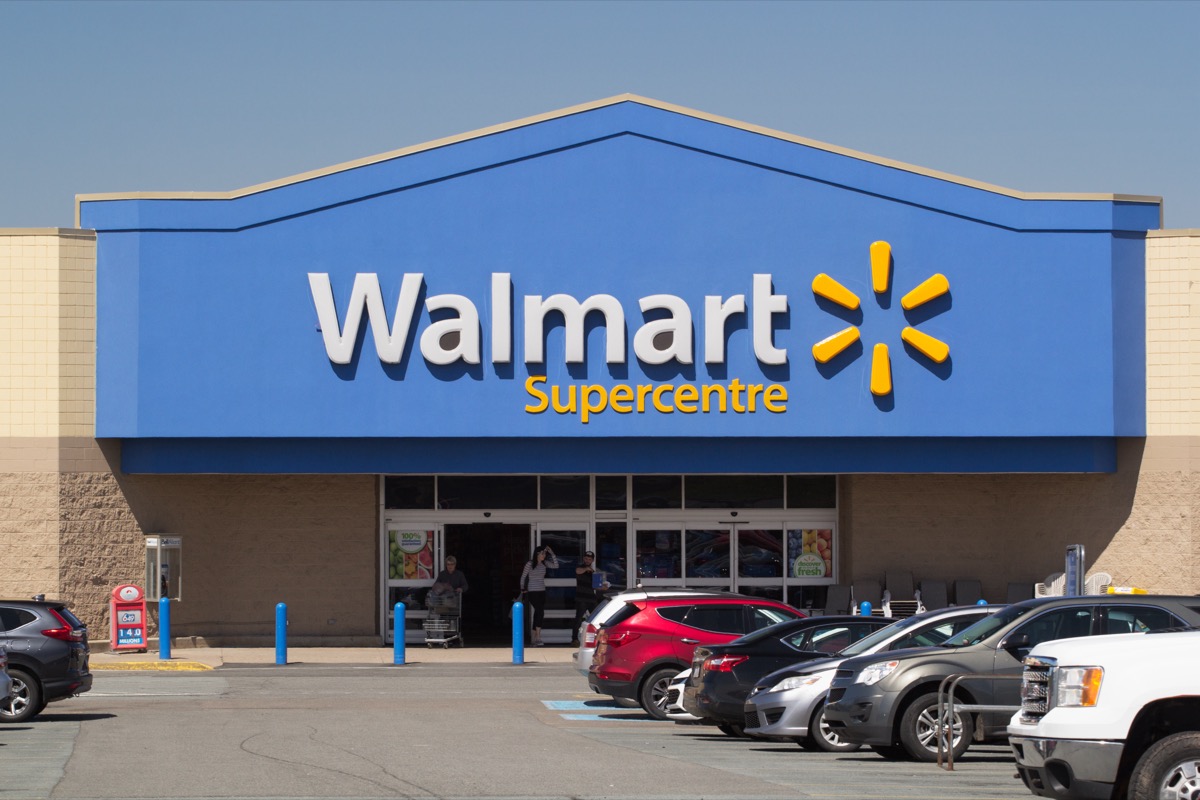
x=491, y=556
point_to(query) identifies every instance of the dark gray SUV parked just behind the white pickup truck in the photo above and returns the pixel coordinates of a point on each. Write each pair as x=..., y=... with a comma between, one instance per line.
x=889, y=701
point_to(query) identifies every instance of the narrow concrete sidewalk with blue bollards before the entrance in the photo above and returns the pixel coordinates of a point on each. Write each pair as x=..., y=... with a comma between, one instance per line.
x=206, y=658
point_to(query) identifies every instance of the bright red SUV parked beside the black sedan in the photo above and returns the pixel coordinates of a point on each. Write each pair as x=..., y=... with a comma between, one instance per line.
x=651, y=641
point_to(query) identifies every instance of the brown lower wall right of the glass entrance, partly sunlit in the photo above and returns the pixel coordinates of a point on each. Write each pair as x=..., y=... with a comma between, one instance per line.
x=1138, y=526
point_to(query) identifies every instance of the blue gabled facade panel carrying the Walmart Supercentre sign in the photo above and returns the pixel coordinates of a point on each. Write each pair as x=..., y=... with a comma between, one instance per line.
x=212, y=357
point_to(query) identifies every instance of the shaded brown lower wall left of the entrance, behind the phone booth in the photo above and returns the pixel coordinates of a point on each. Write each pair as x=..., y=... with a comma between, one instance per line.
x=250, y=542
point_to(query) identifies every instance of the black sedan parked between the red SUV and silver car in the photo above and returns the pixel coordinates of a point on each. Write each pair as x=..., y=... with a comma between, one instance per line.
x=723, y=675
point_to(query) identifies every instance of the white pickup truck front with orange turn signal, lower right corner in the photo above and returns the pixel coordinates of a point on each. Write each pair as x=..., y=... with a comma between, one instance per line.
x=1112, y=718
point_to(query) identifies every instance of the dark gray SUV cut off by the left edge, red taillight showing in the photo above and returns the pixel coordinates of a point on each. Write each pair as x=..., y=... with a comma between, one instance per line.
x=49, y=652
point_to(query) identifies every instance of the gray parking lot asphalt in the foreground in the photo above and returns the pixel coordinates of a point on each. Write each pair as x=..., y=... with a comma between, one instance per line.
x=340, y=724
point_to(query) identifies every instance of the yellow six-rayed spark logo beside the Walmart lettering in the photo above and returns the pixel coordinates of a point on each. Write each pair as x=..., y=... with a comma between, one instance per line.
x=881, y=363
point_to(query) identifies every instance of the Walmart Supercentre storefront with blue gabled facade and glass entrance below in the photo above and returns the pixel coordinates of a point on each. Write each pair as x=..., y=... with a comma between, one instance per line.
x=716, y=354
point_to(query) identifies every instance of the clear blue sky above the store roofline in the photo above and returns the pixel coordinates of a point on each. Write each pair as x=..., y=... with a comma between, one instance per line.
x=213, y=97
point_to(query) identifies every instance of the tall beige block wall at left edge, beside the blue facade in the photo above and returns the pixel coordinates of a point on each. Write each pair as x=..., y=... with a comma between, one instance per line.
x=47, y=368
